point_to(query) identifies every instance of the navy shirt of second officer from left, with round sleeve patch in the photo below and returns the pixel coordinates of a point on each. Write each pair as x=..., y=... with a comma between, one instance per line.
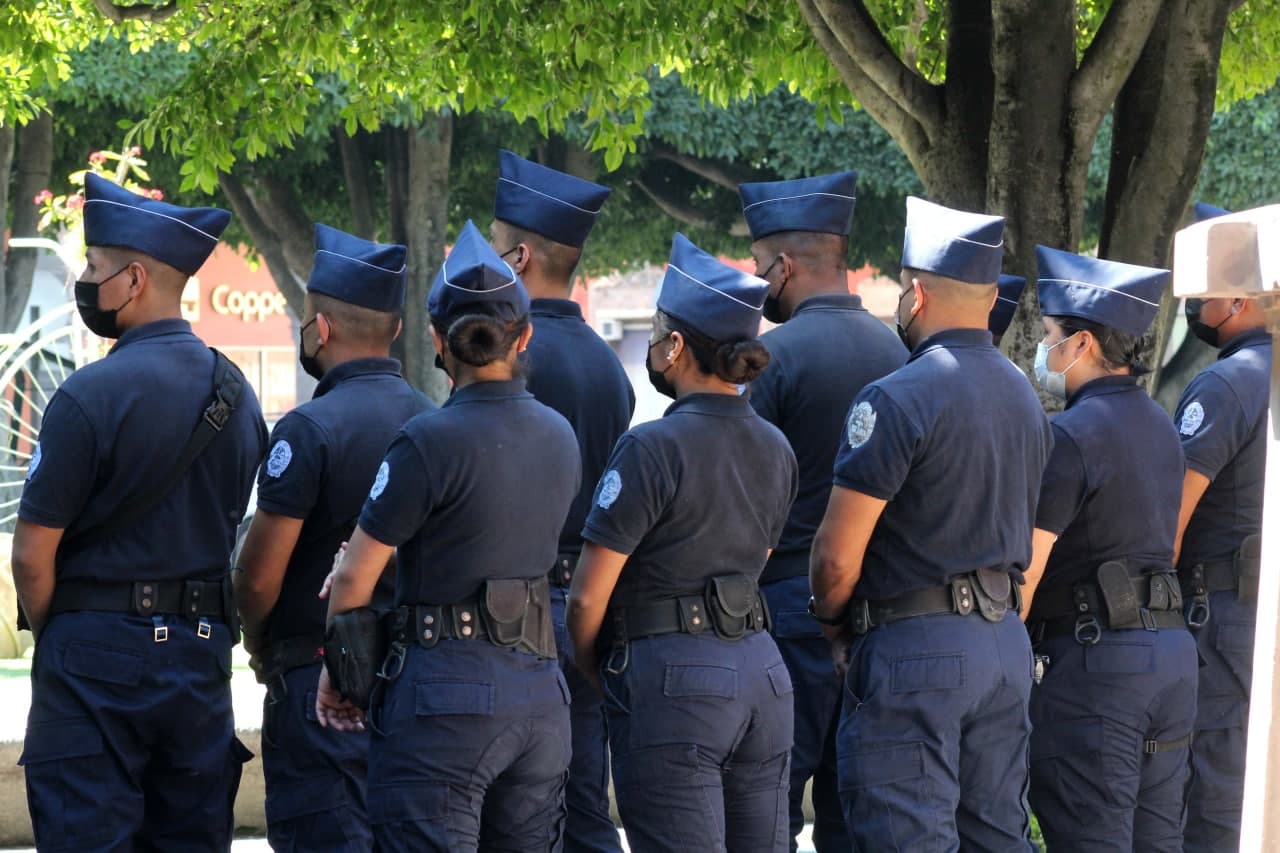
x=323, y=459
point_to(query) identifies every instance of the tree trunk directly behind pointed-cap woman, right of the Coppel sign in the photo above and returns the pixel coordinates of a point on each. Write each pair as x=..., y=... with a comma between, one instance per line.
x=427, y=211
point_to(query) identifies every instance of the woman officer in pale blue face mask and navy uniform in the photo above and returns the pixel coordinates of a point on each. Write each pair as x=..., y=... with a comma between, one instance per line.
x=1113, y=717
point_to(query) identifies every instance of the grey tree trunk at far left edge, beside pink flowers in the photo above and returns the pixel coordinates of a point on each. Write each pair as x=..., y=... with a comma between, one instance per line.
x=33, y=171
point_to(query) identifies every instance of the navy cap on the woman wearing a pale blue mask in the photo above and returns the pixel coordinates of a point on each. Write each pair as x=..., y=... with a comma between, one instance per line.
x=1117, y=295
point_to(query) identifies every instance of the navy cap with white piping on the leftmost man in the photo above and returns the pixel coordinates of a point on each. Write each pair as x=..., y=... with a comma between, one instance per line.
x=182, y=238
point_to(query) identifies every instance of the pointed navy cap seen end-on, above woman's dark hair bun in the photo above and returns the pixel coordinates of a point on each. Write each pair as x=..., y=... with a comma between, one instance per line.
x=473, y=275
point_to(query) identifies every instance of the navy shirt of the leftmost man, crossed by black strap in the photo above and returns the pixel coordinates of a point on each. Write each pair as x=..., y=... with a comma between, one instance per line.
x=112, y=435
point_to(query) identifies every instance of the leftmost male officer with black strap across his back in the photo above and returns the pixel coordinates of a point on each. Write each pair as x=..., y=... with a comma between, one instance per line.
x=144, y=468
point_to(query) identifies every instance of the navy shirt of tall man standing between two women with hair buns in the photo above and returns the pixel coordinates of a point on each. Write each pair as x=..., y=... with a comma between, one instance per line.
x=578, y=375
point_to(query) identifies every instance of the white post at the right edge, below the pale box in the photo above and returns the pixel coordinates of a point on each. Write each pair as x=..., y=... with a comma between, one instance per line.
x=1261, y=828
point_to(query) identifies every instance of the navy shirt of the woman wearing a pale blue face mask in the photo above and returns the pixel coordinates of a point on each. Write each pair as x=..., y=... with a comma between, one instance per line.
x=1114, y=483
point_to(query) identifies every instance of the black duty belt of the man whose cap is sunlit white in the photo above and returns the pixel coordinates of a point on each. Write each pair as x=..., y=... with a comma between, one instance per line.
x=991, y=594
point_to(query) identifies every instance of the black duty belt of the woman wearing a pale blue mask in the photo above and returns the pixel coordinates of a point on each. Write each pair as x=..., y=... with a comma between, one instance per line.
x=1118, y=599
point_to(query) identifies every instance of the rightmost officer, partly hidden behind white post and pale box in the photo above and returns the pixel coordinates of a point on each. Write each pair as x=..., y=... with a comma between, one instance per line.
x=1222, y=421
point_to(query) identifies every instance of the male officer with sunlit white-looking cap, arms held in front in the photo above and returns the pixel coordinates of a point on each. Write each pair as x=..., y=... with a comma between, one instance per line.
x=916, y=565
